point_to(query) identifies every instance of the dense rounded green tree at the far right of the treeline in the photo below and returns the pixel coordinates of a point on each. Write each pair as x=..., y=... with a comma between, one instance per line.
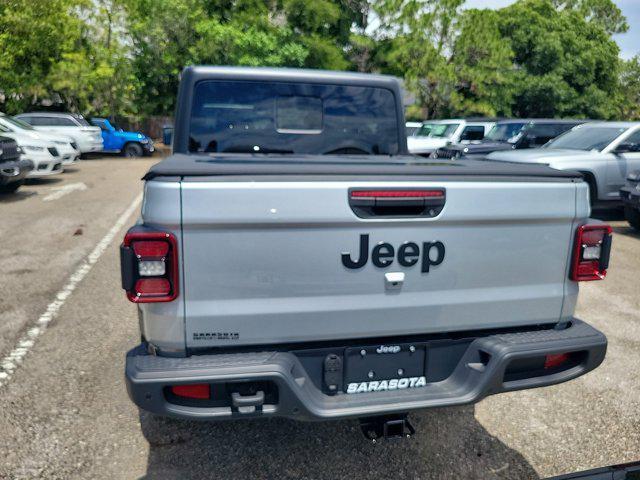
x=566, y=64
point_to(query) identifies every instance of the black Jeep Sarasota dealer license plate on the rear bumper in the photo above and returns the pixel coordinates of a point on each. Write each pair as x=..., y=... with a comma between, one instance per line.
x=384, y=367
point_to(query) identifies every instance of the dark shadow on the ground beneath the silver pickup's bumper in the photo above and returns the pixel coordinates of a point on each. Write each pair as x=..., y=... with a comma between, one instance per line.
x=449, y=443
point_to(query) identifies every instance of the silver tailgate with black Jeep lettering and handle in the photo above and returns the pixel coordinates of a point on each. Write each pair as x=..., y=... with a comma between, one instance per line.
x=263, y=261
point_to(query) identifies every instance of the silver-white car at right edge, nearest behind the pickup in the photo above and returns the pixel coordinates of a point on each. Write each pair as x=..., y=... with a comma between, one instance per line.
x=604, y=152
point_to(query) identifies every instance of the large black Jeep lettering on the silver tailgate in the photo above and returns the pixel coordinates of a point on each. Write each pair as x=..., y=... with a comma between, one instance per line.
x=409, y=253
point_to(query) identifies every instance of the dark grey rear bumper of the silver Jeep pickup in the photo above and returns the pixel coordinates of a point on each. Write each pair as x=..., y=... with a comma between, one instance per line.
x=480, y=371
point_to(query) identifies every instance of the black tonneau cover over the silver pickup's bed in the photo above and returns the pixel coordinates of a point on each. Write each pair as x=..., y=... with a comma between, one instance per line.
x=357, y=166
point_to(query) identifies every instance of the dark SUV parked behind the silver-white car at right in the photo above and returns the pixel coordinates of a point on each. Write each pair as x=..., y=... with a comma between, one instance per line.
x=511, y=134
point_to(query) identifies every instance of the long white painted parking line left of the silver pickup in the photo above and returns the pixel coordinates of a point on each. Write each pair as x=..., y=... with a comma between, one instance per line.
x=10, y=363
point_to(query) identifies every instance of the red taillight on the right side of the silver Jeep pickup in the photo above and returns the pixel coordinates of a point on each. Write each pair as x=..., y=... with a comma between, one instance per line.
x=591, y=253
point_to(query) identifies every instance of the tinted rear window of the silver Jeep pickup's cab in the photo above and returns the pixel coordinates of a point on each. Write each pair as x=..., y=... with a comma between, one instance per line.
x=260, y=117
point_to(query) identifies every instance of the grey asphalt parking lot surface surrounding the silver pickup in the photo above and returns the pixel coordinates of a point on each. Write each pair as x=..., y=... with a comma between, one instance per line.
x=64, y=412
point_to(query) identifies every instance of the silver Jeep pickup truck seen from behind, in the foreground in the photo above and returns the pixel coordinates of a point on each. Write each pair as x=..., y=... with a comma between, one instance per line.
x=294, y=260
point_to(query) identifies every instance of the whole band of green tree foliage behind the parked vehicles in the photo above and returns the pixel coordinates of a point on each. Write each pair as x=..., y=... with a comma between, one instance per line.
x=124, y=57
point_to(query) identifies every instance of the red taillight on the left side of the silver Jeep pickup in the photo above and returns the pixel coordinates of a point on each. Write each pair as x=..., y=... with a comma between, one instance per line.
x=149, y=262
